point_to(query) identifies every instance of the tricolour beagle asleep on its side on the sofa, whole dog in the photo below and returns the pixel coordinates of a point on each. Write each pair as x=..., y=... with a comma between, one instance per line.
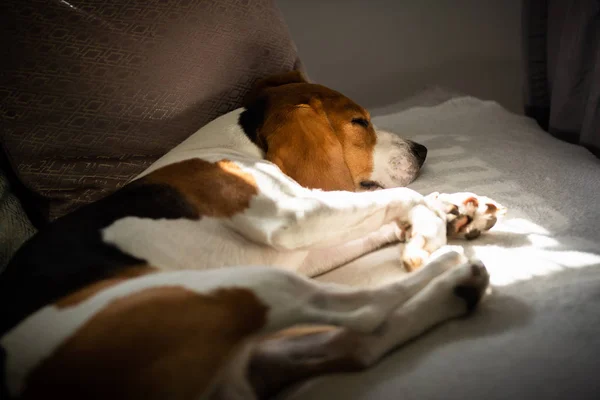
x=128, y=297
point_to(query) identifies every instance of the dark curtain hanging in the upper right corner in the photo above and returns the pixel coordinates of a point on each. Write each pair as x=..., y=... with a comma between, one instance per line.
x=561, y=44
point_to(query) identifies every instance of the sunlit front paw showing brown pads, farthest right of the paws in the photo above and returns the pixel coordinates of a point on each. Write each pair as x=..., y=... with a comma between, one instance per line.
x=467, y=214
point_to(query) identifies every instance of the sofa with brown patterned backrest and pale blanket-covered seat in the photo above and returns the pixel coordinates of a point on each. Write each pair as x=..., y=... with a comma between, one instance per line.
x=93, y=93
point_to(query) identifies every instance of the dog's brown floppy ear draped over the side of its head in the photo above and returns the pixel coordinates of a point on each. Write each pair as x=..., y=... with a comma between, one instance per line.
x=300, y=140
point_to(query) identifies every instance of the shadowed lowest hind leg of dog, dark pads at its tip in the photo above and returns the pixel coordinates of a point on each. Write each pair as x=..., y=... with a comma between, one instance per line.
x=296, y=355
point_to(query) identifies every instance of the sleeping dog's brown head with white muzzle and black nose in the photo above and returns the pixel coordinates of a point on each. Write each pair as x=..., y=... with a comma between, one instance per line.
x=324, y=140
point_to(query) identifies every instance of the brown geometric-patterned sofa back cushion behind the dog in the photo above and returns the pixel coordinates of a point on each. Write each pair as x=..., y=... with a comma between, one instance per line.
x=93, y=92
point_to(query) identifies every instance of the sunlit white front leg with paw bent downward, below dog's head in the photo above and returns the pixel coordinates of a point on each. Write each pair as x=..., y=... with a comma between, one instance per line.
x=287, y=216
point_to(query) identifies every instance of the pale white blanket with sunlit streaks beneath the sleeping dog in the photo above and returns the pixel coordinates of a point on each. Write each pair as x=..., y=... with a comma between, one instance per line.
x=538, y=335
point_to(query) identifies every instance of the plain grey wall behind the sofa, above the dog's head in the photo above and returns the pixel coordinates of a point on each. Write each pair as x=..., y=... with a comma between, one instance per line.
x=380, y=51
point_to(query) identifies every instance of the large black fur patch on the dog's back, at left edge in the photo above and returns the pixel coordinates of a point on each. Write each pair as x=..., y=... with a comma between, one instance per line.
x=69, y=253
